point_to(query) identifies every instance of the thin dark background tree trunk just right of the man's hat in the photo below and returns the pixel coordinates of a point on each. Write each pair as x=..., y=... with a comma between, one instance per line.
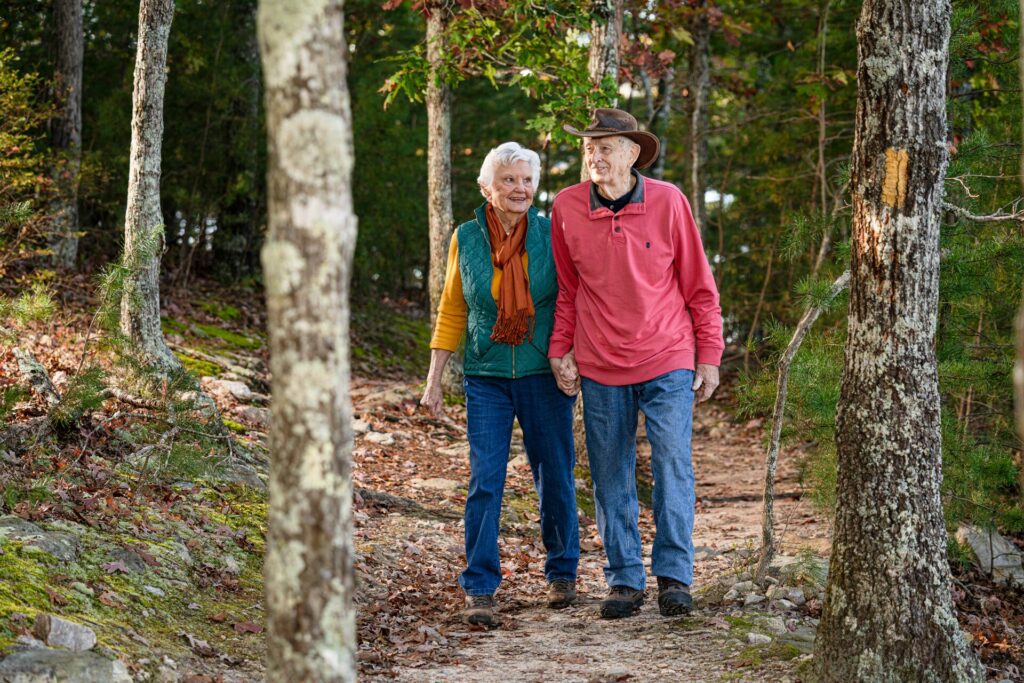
x=698, y=86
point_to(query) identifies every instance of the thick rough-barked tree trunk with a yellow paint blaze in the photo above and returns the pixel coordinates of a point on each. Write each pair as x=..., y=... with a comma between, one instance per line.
x=888, y=614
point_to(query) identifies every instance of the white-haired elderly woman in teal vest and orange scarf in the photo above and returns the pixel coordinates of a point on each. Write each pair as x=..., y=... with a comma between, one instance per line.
x=500, y=290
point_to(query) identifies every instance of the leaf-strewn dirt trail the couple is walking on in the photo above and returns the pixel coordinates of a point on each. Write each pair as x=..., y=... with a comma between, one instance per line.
x=411, y=553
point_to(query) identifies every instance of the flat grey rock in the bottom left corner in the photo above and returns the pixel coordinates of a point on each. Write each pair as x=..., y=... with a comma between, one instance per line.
x=49, y=666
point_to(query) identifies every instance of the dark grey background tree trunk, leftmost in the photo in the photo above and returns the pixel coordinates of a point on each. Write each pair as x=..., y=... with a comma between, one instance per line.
x=67, y=132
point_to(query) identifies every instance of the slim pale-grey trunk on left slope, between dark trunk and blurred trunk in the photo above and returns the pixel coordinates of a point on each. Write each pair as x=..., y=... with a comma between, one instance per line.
x=144, y=222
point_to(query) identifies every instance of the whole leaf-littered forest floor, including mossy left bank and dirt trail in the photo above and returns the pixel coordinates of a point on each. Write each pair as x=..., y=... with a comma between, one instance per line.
x=157, y=550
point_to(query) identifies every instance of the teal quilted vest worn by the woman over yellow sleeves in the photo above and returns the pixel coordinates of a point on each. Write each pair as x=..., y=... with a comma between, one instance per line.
x=483, y=356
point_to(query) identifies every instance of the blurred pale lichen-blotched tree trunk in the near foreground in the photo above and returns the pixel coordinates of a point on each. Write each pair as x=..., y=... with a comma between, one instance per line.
x=307, y=266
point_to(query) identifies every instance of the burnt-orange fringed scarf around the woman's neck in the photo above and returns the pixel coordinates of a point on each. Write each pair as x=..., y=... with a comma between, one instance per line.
x=516, y=307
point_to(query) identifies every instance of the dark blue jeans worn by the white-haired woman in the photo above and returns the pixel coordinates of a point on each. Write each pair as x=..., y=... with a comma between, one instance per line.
x=545, y=415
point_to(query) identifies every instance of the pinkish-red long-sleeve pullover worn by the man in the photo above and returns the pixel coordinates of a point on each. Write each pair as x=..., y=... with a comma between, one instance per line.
x=636, y=295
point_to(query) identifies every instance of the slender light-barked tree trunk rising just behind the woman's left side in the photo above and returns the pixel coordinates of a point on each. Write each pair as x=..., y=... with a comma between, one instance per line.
x=439, y=154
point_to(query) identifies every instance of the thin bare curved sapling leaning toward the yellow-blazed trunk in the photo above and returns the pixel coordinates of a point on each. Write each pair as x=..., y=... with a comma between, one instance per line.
x=769, y=515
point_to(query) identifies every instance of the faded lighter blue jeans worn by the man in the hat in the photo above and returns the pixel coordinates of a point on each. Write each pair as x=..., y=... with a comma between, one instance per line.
x=611, y=418
